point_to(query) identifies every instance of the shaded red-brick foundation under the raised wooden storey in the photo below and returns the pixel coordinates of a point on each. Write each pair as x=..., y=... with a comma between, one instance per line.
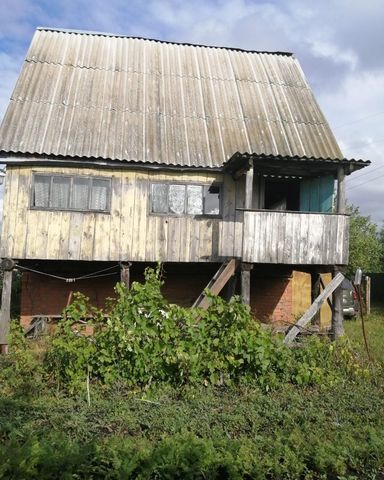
x=276, y=297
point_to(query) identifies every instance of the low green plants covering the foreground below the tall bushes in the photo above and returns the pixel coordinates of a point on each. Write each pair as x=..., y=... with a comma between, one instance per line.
x=196, y=433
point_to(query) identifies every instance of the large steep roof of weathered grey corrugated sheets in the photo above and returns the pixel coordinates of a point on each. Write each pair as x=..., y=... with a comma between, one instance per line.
x=91, y=95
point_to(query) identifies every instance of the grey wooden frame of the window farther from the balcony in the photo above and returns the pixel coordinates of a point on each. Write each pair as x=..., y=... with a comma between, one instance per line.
x=71, y=177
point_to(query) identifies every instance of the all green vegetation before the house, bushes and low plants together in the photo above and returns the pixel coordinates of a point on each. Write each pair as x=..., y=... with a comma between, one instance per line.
x=175, y=416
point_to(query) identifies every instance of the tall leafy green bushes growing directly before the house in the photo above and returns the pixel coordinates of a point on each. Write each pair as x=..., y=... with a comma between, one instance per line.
x=145, y=340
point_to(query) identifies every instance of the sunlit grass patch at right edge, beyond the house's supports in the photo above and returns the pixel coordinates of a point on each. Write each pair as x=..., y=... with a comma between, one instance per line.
x=374, y=326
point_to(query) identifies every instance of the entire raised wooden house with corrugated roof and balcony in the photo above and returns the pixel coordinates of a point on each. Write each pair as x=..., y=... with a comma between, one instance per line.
x=122, y=151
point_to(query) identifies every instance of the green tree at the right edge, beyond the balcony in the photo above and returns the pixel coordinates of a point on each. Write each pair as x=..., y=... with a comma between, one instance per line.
x=366, y=244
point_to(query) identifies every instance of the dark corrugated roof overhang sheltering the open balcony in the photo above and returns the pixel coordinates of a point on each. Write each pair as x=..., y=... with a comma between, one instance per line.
x=294, y=166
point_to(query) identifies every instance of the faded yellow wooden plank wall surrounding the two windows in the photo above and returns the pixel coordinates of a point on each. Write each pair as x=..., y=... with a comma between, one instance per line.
x=128, y=232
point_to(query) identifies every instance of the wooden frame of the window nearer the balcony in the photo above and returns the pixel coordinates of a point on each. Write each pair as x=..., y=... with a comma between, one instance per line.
x=203, y=185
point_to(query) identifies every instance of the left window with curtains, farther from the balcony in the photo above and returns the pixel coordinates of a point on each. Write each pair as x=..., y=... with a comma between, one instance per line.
x=61, y=192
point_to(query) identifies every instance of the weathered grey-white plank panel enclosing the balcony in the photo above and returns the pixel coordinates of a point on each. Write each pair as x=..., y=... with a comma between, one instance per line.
x=295, y=238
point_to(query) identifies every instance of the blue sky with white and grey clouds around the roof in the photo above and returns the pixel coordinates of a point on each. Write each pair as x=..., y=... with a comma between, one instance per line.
x=339, y=44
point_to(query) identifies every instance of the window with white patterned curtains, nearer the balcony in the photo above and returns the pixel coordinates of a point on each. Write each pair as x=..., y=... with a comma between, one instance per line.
x=181, y=199
